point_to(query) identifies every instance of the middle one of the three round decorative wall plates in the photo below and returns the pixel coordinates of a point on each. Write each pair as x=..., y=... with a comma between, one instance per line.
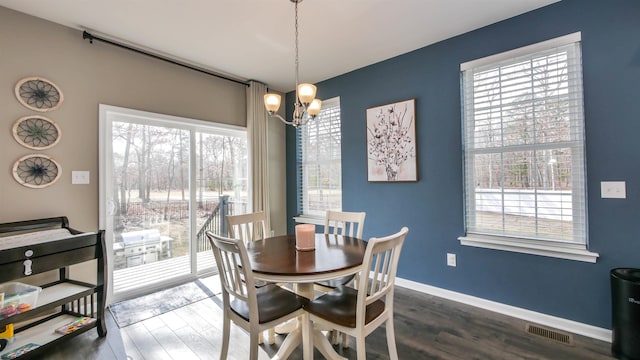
x=36, y=132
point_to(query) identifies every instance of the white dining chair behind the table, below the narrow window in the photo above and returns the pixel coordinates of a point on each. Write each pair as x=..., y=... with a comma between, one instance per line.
x=347, y=224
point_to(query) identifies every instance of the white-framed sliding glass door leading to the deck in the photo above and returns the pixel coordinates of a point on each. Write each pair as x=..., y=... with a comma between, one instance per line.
x=164, y=181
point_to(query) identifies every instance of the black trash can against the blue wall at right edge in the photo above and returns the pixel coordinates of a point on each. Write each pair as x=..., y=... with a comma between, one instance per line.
x=625, y=306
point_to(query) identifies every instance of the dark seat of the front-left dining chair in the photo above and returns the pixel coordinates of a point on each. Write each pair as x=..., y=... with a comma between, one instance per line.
x=273, y=302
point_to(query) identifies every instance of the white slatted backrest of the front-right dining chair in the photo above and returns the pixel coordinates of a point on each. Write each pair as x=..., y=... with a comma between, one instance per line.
x=381, y=259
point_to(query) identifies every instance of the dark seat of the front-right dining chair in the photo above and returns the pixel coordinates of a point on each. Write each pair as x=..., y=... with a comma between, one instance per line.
x=339, y=307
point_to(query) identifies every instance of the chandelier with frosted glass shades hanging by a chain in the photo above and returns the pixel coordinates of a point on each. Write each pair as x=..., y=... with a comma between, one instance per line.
x=306, y=106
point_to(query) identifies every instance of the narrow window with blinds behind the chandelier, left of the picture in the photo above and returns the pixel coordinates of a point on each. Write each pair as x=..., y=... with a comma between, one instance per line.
x=320, y=162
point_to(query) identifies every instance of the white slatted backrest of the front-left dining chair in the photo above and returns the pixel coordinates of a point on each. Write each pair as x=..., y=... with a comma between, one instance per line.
x=234, y=270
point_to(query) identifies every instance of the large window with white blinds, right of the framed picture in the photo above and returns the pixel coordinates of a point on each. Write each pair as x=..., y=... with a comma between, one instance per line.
x=523, y=131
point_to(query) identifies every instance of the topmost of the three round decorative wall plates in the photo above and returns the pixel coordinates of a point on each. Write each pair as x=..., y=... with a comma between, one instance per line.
x=39, y=94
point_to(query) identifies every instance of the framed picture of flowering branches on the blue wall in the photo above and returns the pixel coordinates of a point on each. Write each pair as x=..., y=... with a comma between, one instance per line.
x=391, y=142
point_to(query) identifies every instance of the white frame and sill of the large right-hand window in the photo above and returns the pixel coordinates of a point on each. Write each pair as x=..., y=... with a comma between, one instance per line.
x=573, y=250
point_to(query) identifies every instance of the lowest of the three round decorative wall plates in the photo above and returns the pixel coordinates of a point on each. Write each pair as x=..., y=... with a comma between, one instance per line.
x=36, y=171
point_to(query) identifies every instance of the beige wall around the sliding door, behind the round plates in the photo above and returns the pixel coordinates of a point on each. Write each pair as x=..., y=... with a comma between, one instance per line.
x=90, y=74
